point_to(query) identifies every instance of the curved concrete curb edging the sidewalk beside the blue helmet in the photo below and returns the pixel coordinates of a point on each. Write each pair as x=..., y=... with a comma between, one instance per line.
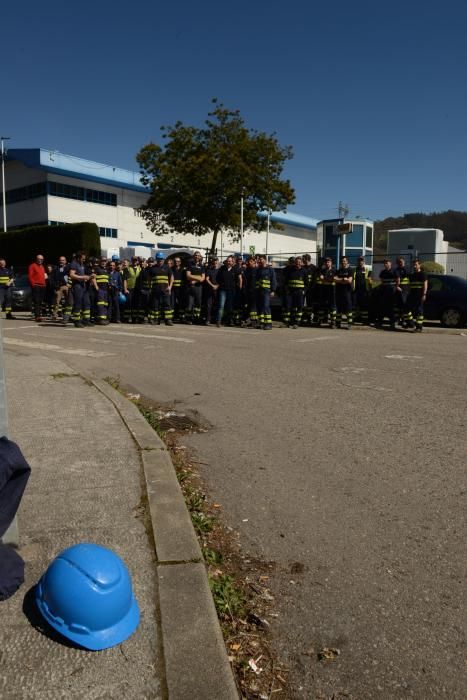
x=195, y=657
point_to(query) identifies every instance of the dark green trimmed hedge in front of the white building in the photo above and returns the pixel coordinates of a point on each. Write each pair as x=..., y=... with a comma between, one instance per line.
x=20, y=246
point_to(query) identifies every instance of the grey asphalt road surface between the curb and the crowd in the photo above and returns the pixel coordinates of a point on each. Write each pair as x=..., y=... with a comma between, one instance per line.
x=340, y=451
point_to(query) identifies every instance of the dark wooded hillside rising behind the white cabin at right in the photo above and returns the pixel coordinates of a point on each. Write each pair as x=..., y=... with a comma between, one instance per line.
x=453, y=223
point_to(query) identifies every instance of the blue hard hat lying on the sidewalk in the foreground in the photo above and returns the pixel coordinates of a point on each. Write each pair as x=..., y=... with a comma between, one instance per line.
x=86, y=595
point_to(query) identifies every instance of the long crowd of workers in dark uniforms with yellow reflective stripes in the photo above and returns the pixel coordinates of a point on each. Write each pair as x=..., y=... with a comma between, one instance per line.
x=236, y=292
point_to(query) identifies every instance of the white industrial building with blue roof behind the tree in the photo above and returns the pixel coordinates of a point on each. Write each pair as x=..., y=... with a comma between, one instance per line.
x=47, y=187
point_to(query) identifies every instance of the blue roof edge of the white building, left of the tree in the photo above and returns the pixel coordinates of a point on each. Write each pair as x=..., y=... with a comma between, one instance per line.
x=72, y=166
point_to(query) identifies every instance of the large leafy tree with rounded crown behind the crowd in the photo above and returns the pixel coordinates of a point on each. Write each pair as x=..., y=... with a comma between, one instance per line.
x=197, y=178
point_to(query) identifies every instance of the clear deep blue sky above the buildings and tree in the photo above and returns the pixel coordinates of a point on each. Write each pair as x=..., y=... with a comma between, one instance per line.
x=371, y=94
